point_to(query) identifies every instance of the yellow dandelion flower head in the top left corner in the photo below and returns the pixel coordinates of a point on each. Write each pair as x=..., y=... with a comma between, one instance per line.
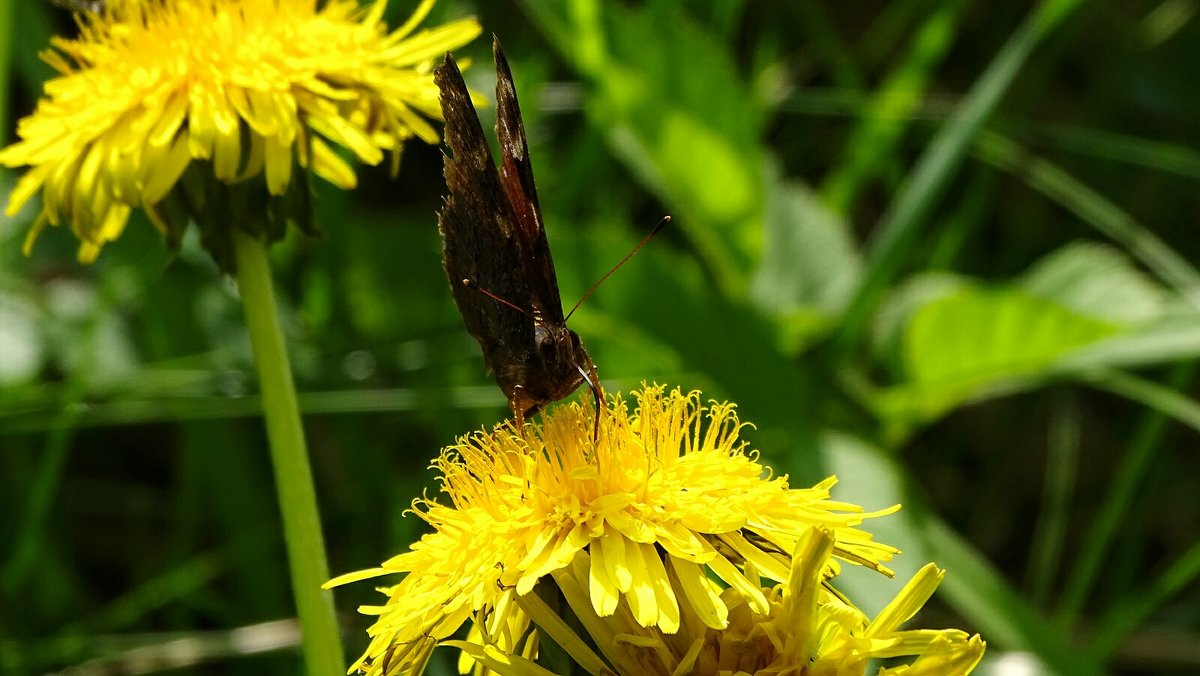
x=231, y=91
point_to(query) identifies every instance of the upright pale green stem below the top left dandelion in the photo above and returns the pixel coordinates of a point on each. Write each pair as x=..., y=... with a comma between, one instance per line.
x=290, y=457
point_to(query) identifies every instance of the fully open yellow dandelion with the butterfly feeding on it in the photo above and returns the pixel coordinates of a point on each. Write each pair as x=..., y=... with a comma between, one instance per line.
x=667, y=498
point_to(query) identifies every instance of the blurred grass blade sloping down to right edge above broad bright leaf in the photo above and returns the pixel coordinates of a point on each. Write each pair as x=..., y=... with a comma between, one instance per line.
x=1096, y=211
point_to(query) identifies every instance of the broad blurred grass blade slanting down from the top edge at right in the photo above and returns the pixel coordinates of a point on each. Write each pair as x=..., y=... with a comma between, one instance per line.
x=898, y=229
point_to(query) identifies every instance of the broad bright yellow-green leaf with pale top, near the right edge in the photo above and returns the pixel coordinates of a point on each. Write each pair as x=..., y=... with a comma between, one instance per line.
x=953, y=342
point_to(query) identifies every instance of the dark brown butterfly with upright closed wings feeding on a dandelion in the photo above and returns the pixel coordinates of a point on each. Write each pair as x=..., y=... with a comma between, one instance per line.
x=496, y=254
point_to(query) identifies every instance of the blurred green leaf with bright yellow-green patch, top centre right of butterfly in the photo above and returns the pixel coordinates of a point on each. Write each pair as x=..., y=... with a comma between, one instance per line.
x=652, y=74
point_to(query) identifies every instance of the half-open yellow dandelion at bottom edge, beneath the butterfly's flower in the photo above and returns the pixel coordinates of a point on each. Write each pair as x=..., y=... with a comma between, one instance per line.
x=809, y=630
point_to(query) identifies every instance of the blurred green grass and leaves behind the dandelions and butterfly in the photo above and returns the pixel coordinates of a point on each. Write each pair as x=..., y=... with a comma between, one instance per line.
x=943, y=249
